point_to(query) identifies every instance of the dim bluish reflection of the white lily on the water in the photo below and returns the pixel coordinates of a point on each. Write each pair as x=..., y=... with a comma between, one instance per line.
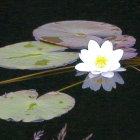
x=95, y=83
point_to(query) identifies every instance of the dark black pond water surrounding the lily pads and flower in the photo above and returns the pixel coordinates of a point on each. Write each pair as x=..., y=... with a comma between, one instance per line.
x=108, y=115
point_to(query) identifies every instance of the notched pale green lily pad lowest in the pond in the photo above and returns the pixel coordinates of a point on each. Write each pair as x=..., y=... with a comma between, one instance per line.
x=26, y=106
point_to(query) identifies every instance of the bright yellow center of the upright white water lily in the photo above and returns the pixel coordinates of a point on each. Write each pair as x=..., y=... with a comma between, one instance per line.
x=101, y=62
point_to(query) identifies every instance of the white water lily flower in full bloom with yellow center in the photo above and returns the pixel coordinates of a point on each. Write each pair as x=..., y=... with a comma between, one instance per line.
x=100, y=60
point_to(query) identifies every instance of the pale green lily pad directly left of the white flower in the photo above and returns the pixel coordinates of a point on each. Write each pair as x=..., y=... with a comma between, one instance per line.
x=35, y=55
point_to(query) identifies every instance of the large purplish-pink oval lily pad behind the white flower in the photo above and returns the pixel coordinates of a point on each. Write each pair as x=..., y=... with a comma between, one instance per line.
x=75, y=34
